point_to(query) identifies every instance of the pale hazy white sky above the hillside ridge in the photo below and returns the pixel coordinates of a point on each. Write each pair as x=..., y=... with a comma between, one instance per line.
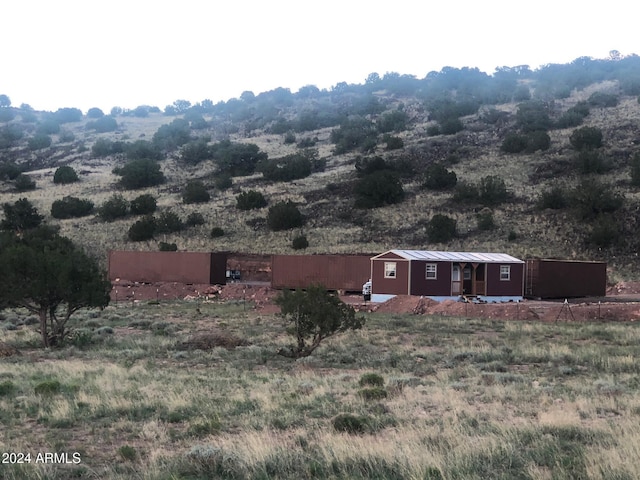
x=82, y=53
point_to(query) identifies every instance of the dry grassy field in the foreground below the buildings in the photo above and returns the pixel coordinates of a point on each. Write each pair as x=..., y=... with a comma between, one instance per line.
x=408, y=397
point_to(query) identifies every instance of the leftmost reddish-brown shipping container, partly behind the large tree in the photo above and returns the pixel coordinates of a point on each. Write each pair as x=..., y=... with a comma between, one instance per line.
x=150, y=267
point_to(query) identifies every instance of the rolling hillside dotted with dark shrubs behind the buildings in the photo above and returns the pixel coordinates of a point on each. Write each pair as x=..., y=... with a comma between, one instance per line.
x=456, y=119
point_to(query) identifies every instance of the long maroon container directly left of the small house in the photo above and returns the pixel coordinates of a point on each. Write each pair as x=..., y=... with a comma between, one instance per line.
x=335, y=272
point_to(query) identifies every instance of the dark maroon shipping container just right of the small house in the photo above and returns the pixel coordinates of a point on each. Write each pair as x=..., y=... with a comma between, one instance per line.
x=565, y=278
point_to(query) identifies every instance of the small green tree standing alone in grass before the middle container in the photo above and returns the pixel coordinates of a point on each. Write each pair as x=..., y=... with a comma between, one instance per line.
x=313, y=315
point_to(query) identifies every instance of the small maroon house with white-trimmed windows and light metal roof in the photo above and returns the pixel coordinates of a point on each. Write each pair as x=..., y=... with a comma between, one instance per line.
x=490, y=277
